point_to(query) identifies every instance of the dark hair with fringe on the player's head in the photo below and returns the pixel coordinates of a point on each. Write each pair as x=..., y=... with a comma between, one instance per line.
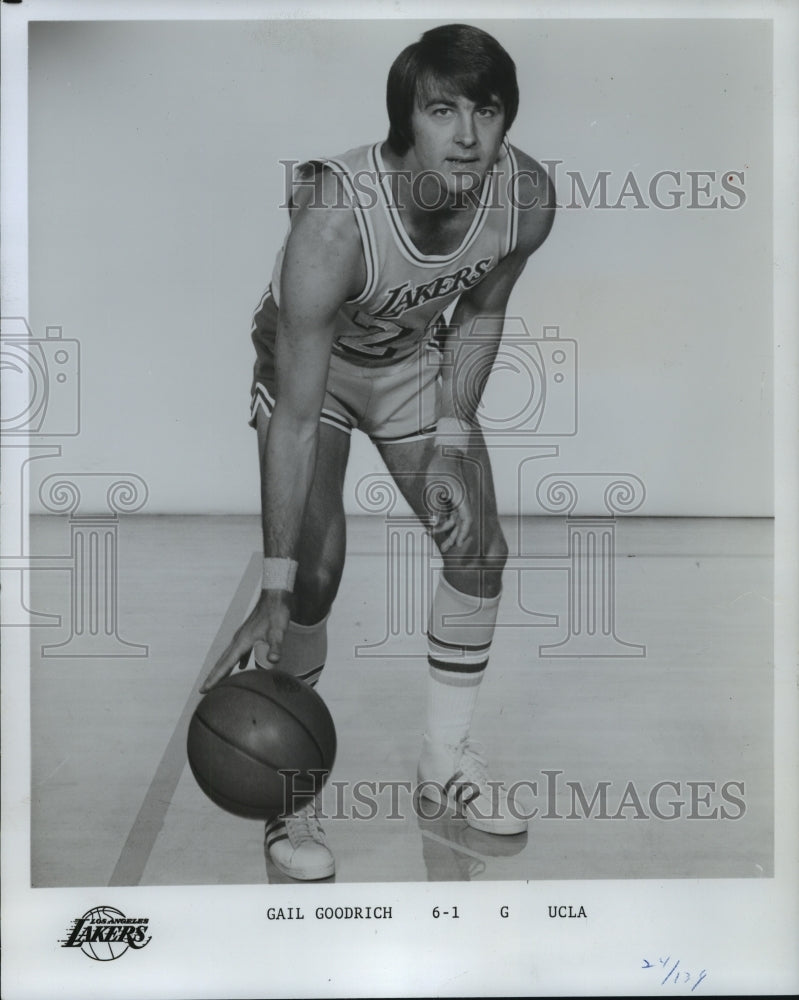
x=461, y=60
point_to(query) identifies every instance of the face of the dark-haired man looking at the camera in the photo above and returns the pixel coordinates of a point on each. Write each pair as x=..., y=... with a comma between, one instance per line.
x=456, y=138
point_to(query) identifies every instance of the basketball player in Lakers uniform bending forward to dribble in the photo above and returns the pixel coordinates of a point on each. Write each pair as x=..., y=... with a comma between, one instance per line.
x=350, y=335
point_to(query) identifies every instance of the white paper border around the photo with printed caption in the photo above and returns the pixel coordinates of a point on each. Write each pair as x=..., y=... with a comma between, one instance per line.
x=213, y=941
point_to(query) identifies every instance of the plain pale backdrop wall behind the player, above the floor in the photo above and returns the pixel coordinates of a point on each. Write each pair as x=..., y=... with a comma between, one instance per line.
x=155, y=213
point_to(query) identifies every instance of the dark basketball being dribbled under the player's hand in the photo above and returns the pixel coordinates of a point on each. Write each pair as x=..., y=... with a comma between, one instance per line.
x=261, y=743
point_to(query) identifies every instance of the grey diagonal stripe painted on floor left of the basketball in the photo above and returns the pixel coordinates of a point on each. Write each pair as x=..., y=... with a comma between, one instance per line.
x=150, y=819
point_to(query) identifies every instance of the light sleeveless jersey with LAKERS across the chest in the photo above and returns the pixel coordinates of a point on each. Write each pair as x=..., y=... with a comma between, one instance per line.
x=407, y=291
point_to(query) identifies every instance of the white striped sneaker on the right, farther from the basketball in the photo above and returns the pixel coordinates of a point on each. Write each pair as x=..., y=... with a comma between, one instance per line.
x=457, y=777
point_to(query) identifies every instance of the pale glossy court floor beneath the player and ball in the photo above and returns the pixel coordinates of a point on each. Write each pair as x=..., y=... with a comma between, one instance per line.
x=113, y=801
